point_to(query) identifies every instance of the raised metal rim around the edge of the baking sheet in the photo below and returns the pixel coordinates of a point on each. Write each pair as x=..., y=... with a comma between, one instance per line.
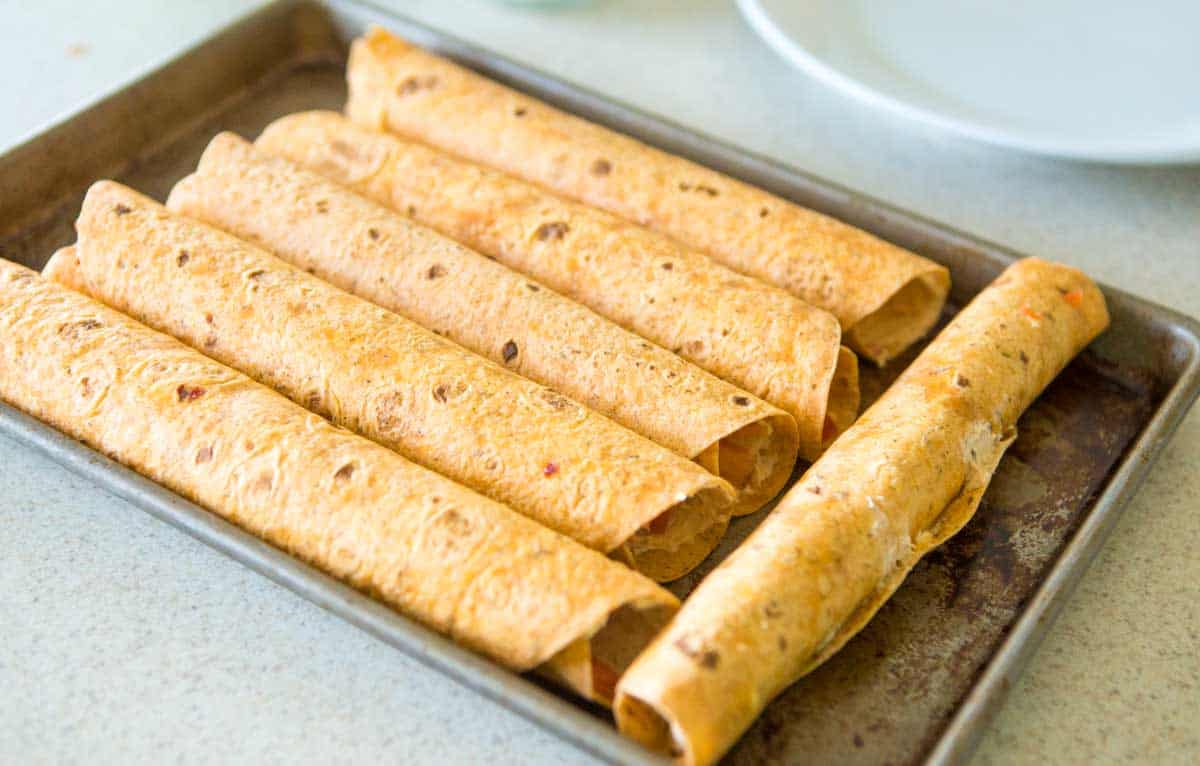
x=542, y=708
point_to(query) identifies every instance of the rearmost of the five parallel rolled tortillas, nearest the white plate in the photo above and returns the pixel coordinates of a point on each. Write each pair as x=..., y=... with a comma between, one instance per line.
x=885, y=297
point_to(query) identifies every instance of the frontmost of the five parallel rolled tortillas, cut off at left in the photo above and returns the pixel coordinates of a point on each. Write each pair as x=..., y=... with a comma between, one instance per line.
x=455, y=561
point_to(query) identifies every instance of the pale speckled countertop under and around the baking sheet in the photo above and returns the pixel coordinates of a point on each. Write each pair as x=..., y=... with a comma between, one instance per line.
x=125, y=641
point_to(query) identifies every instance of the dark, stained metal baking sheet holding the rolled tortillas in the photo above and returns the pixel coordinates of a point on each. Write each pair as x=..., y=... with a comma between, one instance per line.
x=921, y=681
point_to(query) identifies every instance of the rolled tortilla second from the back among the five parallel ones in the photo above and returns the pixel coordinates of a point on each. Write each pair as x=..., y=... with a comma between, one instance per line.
x=757, y=337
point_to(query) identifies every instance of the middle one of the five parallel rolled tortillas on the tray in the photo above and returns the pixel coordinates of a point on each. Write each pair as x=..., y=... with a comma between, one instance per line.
x=383, y=258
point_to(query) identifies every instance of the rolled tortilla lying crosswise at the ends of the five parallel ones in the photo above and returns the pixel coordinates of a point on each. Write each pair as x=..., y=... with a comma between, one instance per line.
x=902, y=481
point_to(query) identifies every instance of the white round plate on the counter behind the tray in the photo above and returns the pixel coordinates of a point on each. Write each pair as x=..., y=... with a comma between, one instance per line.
x=1115, y=81
